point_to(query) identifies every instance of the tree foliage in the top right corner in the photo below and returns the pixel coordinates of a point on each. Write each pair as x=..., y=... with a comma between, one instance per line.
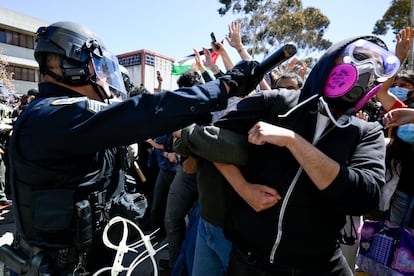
x=396, y=18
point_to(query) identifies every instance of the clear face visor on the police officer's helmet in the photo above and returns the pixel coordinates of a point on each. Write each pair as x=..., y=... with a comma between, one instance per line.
x=108, y=73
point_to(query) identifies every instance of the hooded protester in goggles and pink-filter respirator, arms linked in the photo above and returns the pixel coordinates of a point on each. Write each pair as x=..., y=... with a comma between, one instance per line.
x=321, y=162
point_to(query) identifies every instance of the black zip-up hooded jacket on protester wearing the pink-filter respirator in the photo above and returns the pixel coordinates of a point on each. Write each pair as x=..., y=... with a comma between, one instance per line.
x=302, y=229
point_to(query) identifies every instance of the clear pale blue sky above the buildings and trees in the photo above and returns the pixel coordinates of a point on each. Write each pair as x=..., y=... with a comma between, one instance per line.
x=174, y=28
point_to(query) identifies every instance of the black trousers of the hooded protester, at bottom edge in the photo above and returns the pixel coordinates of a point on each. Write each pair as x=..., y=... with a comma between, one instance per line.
x=243, y=265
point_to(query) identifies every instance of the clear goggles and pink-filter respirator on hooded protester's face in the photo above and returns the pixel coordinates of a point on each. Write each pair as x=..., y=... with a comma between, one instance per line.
x=362, y=64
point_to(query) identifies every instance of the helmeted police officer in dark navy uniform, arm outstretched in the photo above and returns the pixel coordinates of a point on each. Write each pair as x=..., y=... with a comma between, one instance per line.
x=66, y=149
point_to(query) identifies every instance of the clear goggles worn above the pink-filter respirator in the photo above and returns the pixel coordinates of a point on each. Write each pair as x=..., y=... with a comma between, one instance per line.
x=362, y=52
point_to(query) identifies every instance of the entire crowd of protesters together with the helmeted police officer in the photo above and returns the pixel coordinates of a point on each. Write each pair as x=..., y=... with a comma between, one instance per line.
x=243, y=174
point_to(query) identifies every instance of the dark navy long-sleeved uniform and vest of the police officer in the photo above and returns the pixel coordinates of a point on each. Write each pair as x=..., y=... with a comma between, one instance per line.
x=66, y=160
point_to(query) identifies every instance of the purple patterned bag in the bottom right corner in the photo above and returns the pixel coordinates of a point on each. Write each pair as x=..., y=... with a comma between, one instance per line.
x=386, y=250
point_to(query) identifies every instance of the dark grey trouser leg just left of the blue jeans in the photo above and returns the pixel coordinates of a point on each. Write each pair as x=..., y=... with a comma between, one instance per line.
x=181, y=199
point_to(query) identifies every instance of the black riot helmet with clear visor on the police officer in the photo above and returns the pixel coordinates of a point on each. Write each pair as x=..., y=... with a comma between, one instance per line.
x=85, y=59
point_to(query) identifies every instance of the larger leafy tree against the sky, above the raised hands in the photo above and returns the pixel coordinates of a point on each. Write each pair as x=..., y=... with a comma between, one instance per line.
x=268, y=24
